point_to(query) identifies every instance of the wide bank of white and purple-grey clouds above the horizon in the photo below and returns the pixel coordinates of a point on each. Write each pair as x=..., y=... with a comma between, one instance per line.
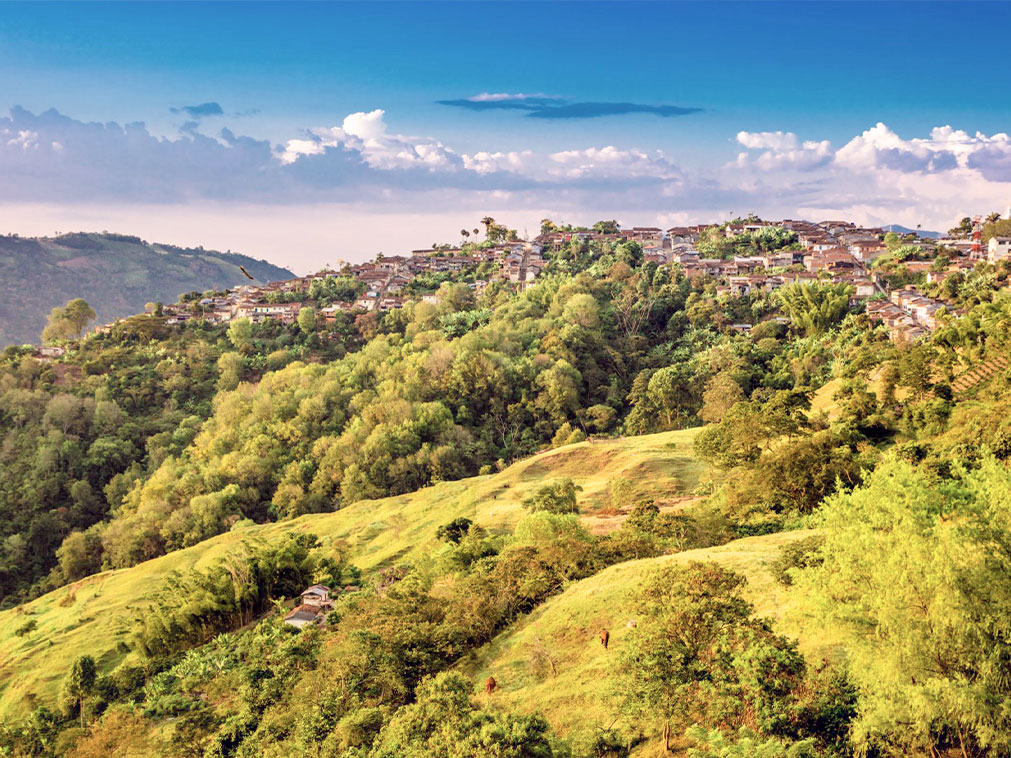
x=365, y=167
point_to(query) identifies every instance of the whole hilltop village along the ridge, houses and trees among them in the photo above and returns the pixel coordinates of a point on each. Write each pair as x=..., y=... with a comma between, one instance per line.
x=897, y=279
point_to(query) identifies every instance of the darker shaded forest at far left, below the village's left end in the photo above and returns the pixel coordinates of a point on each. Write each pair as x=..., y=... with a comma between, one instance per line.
x=80, y=433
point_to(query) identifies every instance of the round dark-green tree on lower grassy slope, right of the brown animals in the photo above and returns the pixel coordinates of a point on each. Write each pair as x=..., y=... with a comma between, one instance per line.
x=697, y=655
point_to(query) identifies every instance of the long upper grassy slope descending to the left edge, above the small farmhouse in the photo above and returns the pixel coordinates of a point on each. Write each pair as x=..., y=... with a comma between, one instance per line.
x=378, y=533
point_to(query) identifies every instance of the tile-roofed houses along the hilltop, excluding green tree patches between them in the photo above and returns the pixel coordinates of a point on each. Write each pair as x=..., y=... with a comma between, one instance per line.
x=836, y=251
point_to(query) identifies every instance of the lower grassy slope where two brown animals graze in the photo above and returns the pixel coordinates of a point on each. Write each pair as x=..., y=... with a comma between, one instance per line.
x=583, y=695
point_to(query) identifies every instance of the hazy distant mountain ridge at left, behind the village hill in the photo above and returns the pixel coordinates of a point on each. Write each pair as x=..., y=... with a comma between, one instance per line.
x=117, y=274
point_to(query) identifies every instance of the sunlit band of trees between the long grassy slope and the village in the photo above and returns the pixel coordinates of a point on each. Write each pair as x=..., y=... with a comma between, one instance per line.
x=447, y=392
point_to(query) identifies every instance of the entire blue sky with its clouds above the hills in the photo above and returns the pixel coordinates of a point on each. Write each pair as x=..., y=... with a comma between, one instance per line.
x=817, y=72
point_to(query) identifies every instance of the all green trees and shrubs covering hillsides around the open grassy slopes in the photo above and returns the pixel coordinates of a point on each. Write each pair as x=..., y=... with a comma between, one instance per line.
x=153, y=439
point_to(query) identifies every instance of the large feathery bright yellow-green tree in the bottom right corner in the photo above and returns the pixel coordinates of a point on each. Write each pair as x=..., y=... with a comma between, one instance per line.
x=915, y=576
